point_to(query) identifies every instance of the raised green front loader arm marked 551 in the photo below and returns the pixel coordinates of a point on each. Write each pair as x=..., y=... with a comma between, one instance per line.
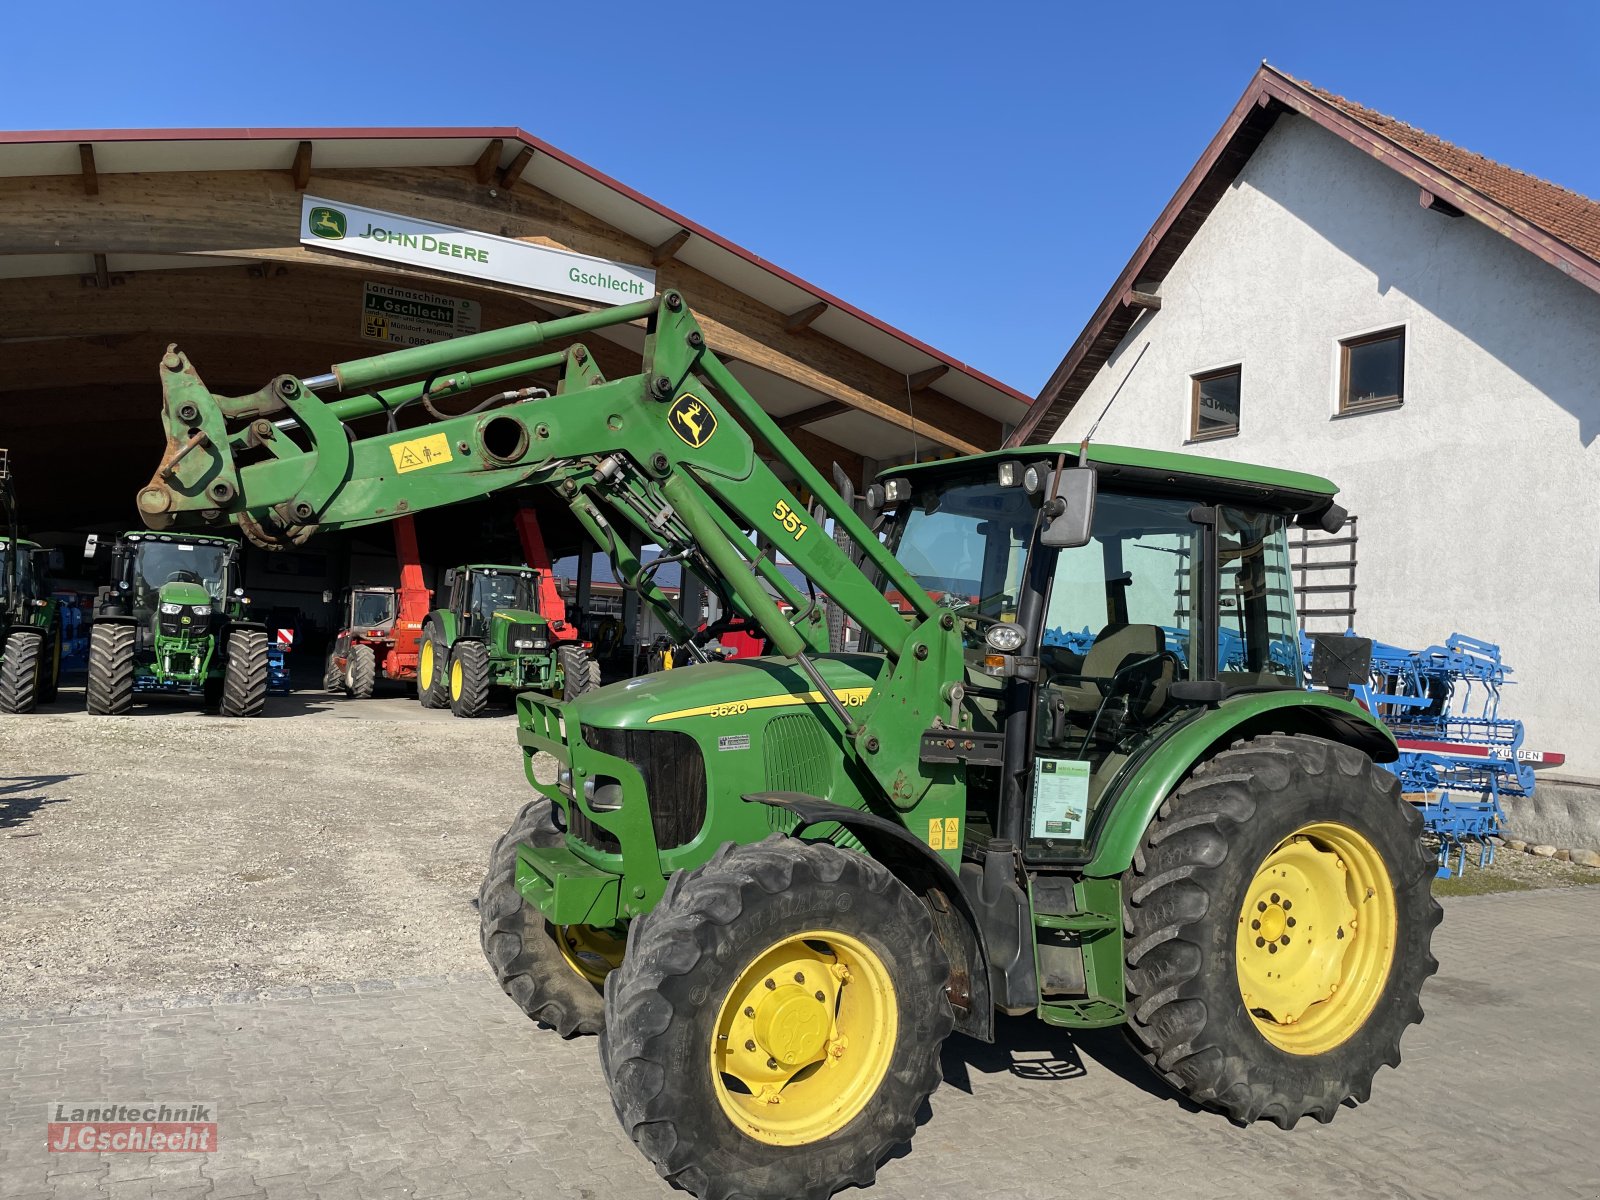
x=670, y=452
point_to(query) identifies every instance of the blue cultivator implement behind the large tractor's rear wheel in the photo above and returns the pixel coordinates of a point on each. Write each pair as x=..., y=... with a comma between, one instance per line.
x=1458, y=754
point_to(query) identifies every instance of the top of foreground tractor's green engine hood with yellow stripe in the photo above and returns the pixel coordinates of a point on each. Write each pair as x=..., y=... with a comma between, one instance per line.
x=671, y=700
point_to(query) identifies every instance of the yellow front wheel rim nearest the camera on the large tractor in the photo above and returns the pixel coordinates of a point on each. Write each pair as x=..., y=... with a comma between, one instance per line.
x=804, y=1039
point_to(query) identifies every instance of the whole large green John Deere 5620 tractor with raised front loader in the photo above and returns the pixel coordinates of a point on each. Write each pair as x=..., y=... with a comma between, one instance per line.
x=775, y=886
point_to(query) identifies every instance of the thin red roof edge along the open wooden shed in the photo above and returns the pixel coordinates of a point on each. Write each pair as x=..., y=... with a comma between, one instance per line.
x=511, y=134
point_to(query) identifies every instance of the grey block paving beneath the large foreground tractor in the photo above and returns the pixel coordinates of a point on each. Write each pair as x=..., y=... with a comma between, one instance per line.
x=441, y=1089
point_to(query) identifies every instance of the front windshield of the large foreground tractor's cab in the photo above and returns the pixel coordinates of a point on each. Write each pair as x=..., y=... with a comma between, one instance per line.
x=967, y=546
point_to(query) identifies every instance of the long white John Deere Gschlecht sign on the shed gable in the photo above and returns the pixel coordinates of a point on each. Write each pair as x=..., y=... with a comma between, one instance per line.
x=372, y=233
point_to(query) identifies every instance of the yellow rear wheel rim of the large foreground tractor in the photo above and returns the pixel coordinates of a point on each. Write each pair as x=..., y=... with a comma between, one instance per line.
x=1316, y=938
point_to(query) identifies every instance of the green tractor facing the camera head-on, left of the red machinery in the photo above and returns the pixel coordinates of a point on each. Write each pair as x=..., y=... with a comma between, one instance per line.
x=175, y=622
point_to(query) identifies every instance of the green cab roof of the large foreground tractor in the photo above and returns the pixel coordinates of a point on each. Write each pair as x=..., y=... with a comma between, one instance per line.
x=1162, y=471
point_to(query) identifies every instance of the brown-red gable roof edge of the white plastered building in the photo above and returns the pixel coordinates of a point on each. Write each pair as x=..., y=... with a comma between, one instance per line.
x=1273, y=92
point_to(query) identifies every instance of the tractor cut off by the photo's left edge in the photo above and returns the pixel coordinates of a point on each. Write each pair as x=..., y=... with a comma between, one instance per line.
x=30, y=618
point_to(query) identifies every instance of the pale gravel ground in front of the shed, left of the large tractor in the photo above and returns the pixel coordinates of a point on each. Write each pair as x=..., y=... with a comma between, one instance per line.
x=170, y=852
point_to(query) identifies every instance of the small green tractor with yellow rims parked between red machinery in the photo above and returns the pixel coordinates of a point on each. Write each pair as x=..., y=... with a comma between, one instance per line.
x=492, y=636
